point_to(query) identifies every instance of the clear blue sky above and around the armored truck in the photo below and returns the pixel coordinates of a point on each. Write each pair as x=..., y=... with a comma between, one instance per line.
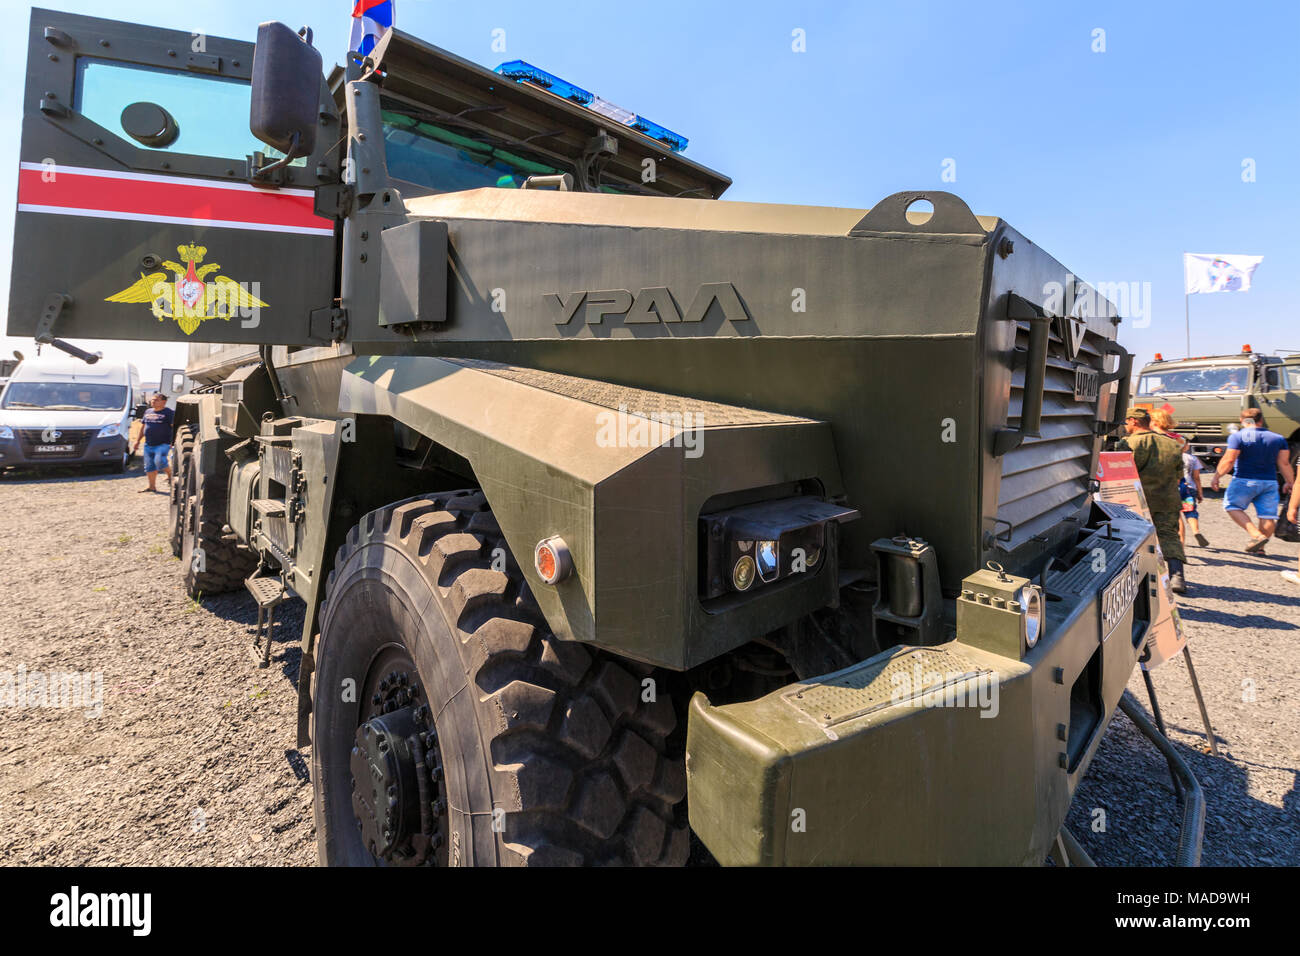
x=1115, y=162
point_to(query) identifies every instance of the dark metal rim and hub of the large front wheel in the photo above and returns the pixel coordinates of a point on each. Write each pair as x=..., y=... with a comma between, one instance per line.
x=396, y=776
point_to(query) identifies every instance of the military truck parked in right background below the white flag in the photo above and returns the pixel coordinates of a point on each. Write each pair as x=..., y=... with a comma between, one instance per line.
x=1206, y=396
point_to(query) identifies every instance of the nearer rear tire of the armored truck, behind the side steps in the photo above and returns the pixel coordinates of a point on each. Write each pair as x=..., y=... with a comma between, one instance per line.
x=226, y=564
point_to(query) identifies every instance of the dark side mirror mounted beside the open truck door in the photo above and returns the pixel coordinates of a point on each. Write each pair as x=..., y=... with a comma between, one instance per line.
x=287, y=85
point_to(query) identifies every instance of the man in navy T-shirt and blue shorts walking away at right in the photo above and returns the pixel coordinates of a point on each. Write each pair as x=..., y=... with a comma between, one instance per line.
x=1255, y=457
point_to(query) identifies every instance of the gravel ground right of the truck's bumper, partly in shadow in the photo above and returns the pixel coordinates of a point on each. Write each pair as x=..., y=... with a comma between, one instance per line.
x=1243, y=621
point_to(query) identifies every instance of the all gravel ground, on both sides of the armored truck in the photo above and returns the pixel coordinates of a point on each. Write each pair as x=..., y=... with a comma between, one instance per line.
x=192, y=759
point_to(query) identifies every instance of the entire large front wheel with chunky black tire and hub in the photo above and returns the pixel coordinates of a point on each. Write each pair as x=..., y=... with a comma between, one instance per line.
x=536, y=751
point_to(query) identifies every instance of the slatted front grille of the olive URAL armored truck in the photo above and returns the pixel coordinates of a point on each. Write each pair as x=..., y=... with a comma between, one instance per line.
x=1047, y=478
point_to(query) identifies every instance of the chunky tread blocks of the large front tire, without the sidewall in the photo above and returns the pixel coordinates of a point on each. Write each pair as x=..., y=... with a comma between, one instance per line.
x=586, y=769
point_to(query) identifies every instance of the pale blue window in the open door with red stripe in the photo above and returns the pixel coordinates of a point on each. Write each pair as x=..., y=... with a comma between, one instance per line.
x=209, y=115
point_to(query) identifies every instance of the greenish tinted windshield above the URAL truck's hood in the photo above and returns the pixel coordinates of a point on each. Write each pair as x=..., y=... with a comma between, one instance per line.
x=445, y=162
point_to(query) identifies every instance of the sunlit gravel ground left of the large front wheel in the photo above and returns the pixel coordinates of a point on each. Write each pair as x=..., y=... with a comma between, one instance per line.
x=192, y=759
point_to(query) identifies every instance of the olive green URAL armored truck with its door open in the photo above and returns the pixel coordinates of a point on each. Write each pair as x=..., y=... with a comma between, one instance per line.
x=619, y=512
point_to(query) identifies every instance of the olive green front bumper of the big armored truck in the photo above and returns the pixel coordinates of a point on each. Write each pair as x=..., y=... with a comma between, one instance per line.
x=951, y=755
